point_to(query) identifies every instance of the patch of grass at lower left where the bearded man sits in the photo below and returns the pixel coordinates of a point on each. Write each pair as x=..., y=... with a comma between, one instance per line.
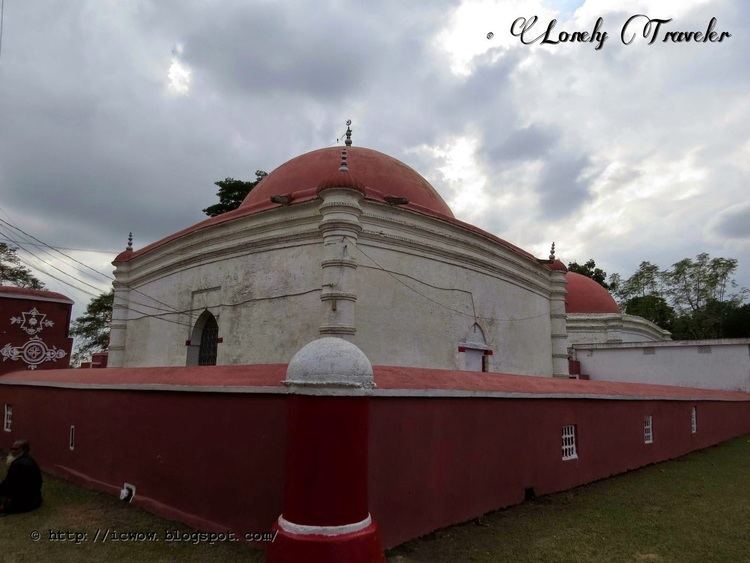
x=73, y=509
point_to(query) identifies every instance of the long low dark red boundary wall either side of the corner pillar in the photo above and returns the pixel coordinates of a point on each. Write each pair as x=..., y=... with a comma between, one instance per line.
x=207, y=445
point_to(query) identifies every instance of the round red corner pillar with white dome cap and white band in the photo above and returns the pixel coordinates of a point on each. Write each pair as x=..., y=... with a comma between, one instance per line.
x=325, y=517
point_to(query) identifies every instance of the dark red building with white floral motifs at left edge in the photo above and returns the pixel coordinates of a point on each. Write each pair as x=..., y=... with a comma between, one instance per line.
x=34, y=327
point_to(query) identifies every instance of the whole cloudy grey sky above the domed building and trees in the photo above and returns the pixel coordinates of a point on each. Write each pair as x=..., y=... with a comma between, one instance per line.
x=119, y=116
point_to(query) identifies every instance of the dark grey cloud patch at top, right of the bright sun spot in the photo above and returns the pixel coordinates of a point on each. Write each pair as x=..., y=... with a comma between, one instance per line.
x=261, y=52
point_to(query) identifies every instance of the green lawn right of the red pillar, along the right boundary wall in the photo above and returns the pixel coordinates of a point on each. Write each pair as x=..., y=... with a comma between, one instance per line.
x=695, y=508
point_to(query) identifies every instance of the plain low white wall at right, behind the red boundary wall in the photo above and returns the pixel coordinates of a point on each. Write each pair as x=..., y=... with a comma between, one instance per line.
x=707, y=364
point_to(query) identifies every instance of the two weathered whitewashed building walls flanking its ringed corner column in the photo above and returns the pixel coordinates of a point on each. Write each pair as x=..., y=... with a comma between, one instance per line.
x=280, y=252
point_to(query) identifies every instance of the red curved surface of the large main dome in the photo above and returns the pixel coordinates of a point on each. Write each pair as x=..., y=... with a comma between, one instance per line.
x=380, y=175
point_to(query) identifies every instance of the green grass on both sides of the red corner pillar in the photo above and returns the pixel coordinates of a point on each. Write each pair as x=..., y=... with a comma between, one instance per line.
x=696, y=508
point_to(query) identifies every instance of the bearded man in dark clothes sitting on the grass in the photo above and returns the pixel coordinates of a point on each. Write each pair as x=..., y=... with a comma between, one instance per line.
x=21, y=490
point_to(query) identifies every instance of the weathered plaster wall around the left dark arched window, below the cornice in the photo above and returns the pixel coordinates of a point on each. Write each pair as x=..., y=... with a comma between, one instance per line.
x=252, y=330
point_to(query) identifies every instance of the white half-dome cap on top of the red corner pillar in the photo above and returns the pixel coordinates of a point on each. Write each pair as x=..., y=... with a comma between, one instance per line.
x=330, y=362
